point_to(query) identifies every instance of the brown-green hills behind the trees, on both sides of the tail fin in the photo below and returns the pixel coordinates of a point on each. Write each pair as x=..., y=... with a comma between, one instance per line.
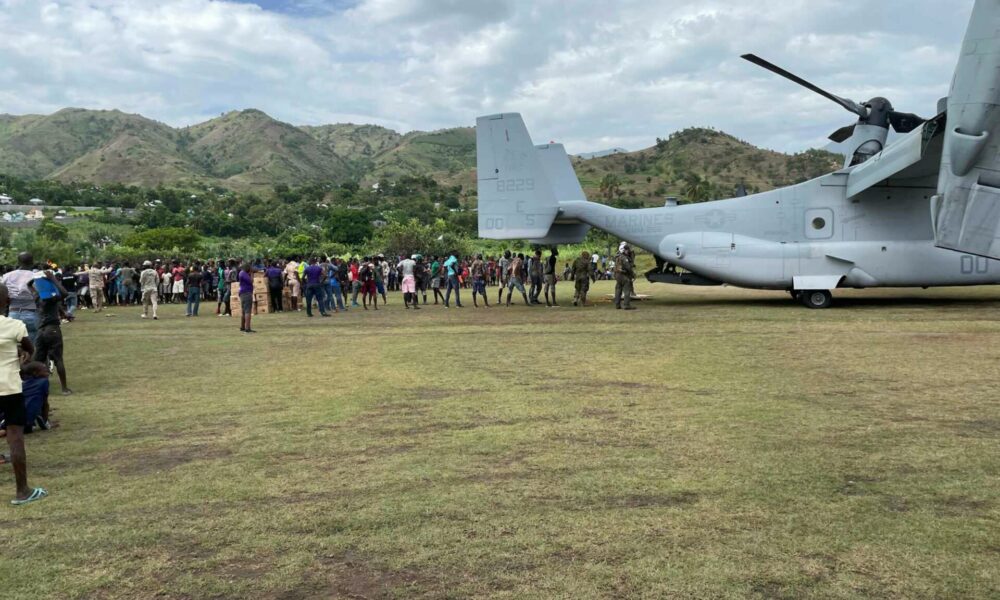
x=250, y=151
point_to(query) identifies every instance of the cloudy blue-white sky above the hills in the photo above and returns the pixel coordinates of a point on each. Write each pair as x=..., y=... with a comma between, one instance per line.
x=593, y=75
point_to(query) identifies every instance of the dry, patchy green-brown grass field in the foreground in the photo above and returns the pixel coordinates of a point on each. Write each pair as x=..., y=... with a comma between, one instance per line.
x=717, y=443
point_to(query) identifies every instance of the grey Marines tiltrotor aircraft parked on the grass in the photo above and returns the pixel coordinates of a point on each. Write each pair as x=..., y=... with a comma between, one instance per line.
x=921, y=211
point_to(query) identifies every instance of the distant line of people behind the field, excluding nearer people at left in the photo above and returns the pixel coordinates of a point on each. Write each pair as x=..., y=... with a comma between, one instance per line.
x=332, y=284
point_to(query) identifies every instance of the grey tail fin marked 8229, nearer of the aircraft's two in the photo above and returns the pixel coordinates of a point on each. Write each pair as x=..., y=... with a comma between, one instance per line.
x=516, y=198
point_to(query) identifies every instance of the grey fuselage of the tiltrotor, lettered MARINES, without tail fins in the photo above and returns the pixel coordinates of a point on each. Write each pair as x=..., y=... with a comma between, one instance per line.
x=807, y=236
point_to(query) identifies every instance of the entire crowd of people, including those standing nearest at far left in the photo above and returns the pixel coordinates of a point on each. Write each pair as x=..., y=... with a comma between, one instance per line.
x=37, y=299
